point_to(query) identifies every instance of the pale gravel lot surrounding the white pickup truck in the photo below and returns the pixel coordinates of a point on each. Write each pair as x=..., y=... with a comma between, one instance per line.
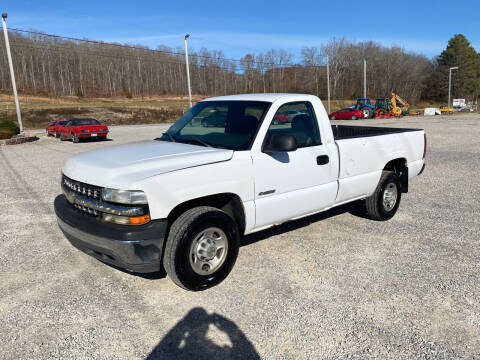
x=334, y=285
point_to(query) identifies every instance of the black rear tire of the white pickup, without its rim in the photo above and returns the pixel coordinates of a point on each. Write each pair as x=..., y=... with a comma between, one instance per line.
x=376, y=209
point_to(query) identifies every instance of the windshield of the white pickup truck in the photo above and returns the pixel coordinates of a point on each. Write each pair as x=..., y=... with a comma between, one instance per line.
x=223, y=124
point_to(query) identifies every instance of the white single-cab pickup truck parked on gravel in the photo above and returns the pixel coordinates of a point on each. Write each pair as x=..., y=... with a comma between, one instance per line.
x=229, y=166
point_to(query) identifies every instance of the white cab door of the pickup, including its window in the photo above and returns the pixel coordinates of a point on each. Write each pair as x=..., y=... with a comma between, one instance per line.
x=296, y=183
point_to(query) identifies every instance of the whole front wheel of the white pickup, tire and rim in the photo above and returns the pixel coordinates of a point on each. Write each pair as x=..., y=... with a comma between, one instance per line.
x=201, y=248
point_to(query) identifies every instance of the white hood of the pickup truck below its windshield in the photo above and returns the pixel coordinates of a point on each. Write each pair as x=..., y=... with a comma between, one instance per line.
x=120, y=166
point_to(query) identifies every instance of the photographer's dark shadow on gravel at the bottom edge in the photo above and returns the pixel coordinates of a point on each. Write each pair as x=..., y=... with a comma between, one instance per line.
x=192, y=338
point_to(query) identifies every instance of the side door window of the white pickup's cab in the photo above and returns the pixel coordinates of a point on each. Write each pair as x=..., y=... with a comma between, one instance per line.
x=297, y=119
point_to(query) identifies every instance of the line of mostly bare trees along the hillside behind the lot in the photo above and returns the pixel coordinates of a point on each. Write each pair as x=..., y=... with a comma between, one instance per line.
x=54, y=66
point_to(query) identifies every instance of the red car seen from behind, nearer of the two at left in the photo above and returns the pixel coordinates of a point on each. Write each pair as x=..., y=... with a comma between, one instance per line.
x=79, y=129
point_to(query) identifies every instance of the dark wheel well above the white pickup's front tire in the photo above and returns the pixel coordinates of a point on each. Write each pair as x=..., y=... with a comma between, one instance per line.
x=227, y=202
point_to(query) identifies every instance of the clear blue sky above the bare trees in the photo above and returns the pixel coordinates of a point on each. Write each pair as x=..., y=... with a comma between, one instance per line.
x=239, y=27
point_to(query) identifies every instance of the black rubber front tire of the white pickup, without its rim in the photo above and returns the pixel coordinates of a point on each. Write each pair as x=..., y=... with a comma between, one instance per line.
x=182, y=234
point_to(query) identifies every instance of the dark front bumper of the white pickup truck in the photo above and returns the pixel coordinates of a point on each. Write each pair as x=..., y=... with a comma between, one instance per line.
x=135, y=248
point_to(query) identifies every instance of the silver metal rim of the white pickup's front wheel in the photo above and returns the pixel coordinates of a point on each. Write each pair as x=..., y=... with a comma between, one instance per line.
x=208, y=251
